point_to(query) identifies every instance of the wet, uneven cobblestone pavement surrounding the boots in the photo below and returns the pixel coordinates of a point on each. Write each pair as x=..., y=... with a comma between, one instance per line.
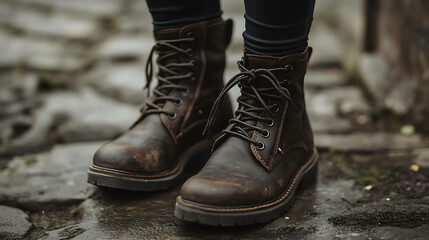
x=71, y=74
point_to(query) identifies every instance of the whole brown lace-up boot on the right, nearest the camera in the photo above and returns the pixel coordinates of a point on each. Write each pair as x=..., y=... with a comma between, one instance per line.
x=263, y=156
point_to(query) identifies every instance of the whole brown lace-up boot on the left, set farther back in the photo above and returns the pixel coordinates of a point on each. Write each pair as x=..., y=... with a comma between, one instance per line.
x=167, y=137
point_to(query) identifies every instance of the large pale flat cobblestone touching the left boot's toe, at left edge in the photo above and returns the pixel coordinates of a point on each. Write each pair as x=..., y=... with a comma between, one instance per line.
x=48, y=180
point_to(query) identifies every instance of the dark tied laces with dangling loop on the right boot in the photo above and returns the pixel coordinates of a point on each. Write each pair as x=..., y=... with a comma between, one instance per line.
x=251, y=112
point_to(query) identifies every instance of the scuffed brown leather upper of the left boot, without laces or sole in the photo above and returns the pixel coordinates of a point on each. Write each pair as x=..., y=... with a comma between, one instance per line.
x=152, y=146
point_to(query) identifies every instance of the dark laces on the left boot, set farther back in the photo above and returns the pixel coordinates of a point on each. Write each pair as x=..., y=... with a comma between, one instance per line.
x=169, y=73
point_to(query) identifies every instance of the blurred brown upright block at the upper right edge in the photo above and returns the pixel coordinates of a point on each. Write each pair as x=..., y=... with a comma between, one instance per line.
x=403, y=40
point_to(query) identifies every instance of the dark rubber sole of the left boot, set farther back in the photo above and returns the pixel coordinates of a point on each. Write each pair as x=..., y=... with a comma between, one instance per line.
x=191, y=161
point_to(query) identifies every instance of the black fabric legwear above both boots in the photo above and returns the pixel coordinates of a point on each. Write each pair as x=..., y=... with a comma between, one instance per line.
x=273, y=27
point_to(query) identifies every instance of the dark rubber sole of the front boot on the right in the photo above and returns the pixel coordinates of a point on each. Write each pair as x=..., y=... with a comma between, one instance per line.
x=203, y=215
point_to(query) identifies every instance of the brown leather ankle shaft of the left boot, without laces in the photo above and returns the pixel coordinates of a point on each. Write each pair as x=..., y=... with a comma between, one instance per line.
x=206, y=51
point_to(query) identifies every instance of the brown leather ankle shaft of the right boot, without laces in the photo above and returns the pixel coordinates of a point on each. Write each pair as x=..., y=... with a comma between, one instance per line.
x=291, y=129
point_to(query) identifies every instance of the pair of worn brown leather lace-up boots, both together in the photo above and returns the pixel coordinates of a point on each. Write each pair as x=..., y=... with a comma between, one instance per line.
x=262, y=153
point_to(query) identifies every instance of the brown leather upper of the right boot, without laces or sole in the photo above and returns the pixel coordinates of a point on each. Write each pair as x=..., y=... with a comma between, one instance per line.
x=241, y=175
